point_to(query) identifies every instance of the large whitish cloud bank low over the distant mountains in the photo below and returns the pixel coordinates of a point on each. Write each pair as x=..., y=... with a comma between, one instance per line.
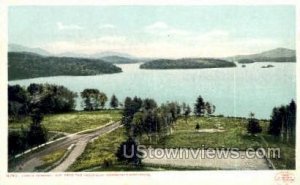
x=214, y=43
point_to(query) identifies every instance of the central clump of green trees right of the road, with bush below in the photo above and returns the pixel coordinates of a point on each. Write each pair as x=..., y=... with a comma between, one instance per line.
x=145, y=117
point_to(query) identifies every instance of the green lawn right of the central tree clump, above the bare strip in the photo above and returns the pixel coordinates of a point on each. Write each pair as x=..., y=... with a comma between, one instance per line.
x=185, y=135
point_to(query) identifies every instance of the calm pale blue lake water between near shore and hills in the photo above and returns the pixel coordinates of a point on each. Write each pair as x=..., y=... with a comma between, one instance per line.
x=234, y=91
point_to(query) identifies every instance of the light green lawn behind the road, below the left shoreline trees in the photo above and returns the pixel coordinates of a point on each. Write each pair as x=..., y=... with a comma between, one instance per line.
x=72, y=122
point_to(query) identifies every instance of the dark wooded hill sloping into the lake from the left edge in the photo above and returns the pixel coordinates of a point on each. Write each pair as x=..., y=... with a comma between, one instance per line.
x=23, y=65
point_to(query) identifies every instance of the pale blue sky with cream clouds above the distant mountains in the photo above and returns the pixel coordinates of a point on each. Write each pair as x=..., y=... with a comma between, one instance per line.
x=154, y=31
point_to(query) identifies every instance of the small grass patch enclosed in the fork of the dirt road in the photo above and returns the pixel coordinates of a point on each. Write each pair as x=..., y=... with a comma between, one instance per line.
x=50, y=159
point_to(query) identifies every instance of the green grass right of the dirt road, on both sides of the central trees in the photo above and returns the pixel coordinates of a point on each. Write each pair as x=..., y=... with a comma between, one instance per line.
x=185, y=135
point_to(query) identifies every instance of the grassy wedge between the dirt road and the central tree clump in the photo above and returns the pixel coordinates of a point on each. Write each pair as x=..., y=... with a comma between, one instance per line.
x=103, y=148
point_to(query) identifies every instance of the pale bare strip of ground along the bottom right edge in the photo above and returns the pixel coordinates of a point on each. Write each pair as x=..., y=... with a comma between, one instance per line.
x=202, y=161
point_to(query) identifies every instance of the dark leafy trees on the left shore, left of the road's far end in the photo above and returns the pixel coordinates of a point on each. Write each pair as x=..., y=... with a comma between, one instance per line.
x=36, y=100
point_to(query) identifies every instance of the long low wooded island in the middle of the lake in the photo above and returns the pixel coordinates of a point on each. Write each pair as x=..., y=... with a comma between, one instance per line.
x=187, y=63
